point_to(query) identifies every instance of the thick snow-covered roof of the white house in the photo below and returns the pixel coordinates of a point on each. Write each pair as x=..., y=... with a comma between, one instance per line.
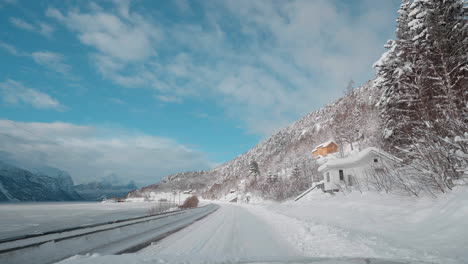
x=356, y=159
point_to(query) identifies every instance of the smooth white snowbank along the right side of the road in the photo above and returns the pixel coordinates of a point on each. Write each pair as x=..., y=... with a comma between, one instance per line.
x=375, y=225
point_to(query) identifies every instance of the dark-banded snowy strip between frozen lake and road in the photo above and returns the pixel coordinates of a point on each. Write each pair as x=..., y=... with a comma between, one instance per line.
x=114, y=237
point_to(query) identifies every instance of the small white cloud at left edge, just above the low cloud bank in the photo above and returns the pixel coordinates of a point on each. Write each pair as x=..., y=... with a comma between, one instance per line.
x=15, y=93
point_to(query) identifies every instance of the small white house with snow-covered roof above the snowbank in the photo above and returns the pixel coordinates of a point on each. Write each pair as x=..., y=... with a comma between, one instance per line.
x=355, y=168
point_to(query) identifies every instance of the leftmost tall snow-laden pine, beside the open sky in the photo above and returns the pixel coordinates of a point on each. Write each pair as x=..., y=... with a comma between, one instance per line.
x=395, y=78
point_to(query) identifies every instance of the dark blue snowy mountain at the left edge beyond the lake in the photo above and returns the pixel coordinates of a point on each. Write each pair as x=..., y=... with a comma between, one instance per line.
x=42, y=184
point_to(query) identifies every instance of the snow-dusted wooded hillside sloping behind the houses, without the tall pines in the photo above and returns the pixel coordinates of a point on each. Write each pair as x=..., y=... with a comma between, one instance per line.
x=352, y=118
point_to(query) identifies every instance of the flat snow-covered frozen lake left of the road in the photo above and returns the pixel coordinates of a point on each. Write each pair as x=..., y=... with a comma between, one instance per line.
x=28, y=218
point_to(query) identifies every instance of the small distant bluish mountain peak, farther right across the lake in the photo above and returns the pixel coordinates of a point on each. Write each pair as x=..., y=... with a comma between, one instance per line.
x=107, y=187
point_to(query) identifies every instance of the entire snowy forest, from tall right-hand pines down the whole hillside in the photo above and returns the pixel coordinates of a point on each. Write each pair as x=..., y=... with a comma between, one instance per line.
x=416, y=108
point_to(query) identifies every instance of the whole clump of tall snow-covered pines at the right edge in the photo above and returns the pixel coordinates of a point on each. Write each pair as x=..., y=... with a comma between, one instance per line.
x=424, y=77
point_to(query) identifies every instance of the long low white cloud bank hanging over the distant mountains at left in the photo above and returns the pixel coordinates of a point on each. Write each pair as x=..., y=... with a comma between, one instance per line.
x=89, y=152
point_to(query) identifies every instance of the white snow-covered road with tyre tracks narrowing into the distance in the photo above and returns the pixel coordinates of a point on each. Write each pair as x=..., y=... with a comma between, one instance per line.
x=230, y=233
